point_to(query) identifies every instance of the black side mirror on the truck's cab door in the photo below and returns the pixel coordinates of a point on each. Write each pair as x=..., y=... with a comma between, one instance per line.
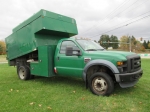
x=70, y=52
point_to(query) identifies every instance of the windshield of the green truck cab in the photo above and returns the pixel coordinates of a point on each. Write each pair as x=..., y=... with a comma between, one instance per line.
x=89, y=45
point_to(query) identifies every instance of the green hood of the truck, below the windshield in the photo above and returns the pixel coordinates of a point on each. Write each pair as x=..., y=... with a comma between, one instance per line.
x=113, y=55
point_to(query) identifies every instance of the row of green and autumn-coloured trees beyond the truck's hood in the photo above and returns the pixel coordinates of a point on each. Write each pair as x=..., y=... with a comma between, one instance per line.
x=107, y=41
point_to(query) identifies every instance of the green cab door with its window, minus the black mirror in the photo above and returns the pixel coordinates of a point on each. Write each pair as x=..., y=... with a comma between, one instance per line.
x=69, y=65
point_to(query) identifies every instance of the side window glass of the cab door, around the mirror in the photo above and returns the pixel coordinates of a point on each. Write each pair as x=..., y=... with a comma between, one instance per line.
x=68, y=44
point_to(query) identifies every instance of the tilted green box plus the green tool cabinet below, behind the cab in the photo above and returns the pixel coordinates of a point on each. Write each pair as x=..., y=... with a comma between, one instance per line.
x=34, y=41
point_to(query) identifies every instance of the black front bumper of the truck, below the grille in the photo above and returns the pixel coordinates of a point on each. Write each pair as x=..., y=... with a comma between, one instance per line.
x=128, y=79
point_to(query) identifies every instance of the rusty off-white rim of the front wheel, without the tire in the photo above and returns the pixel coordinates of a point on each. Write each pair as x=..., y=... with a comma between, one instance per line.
x=99, y=85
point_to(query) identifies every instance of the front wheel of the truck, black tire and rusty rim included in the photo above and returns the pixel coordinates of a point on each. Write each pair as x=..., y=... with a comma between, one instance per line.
x=101, y=84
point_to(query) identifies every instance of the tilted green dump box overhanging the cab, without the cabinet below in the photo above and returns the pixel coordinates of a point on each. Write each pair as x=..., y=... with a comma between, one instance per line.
x=43, y=28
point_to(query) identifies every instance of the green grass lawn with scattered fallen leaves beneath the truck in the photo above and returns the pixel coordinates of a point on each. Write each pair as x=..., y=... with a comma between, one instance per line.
x=58, y=94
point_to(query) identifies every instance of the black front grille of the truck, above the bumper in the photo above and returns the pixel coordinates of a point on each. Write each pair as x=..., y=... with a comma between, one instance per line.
x=134, y=63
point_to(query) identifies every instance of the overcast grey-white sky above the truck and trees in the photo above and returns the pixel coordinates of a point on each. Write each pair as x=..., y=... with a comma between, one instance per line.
x=93, y=17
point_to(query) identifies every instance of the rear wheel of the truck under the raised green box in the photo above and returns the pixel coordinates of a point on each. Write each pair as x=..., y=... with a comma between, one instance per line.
x=24, y=73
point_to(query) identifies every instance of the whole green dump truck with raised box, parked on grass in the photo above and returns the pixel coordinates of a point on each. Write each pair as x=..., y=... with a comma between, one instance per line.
x=40, y=46
